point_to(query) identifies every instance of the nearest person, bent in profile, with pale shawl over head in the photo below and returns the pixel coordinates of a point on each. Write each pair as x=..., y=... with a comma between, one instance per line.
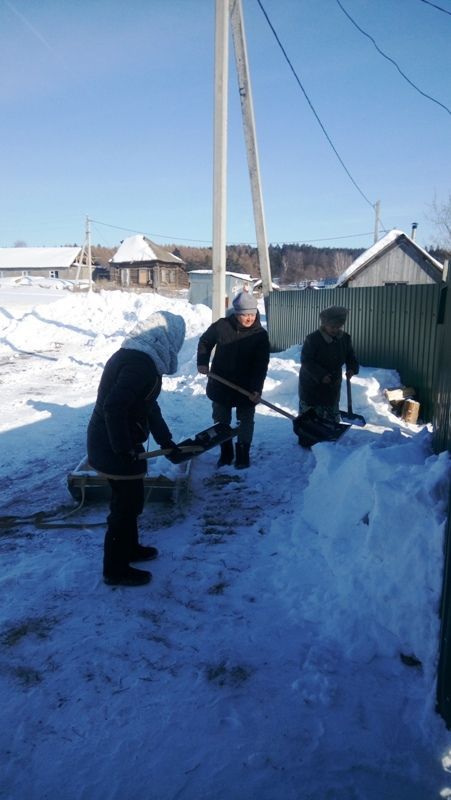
x=125, y=413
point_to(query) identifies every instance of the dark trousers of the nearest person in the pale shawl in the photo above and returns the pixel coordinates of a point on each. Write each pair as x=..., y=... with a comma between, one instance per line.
x=126, y=504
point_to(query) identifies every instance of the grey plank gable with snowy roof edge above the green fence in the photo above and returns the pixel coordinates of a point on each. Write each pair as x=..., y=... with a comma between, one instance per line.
x=395, y=259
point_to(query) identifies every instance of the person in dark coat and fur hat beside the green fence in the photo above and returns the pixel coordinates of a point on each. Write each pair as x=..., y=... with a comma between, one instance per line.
x=323, y=355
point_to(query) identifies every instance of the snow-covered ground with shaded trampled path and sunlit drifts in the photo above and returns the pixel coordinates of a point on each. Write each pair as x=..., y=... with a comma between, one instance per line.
x=286, y=648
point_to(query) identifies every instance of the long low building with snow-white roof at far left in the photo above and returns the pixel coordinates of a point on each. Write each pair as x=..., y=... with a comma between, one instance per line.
x=40, y=262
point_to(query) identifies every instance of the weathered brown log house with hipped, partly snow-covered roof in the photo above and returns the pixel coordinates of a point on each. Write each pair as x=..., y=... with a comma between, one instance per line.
x=139, y=262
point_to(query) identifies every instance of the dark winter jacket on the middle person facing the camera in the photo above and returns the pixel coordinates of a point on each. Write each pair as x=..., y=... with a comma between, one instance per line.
x=241, y=356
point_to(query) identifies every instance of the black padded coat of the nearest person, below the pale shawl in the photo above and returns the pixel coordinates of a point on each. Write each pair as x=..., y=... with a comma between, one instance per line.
x=125, y=413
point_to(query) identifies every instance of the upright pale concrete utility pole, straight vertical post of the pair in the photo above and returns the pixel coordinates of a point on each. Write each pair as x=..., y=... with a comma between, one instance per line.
x=220, y=157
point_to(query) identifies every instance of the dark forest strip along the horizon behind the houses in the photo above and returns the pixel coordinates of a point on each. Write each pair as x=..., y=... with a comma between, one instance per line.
x=290, y=263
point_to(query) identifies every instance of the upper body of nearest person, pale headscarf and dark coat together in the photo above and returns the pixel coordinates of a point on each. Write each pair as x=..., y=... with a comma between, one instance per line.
x=126, y=410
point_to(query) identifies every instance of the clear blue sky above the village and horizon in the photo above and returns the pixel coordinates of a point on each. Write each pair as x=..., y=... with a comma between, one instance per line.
x=107, y=112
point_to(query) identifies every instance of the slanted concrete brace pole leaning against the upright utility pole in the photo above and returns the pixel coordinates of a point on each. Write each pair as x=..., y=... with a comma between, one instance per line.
x=247, y=110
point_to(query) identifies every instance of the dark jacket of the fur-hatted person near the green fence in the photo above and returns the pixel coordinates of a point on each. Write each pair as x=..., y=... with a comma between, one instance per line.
x=323, y=355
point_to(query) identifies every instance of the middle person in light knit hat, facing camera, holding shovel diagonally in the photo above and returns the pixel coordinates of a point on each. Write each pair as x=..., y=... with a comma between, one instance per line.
x=242, y=357
